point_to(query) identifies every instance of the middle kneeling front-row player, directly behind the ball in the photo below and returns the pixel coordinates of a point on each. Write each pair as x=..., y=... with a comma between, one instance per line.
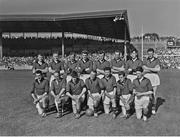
x=94, y=86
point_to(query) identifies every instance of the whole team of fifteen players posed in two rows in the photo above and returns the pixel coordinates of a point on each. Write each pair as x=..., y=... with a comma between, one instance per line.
x=133, y=82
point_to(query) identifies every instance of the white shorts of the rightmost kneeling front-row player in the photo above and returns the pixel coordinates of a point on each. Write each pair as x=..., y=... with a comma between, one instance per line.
x=141, y=103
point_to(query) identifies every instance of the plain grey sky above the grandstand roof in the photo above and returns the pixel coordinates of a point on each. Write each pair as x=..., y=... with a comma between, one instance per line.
x=154, y=16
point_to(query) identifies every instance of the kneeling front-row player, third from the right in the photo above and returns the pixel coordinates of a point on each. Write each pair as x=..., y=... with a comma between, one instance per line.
x=109, y=85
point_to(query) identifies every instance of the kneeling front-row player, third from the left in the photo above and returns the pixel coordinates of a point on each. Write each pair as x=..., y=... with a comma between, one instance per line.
x=75, y=90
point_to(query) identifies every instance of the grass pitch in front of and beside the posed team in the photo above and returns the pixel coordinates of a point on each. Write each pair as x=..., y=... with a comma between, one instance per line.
x=18, y=115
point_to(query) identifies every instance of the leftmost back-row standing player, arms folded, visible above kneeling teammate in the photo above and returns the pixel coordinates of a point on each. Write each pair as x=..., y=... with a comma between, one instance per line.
x=39, y=64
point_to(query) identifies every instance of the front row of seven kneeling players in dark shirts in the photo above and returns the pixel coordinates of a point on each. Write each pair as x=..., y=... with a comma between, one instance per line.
x=105, y=90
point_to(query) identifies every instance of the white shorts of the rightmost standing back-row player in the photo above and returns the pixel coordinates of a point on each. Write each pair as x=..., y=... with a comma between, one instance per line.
x=154, y=78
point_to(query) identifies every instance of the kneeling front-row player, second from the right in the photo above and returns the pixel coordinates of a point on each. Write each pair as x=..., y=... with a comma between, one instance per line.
x=124, y=90
